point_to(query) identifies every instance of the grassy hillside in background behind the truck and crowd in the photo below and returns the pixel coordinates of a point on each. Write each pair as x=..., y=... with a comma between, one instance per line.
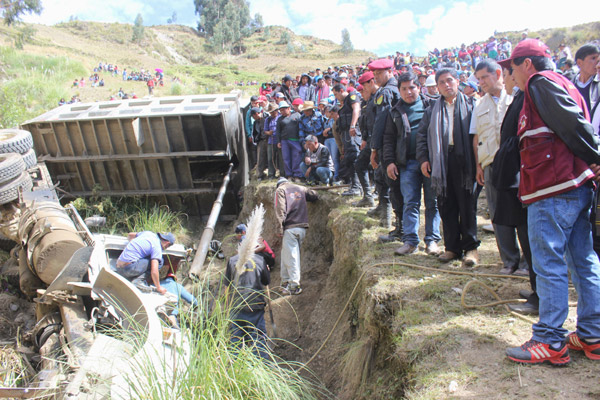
x=35, y=77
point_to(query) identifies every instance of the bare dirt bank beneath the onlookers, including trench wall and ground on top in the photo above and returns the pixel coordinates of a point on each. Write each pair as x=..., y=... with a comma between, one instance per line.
x=405, y=333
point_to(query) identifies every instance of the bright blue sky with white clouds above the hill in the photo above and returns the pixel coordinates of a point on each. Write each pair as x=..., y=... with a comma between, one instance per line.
x=381, y=26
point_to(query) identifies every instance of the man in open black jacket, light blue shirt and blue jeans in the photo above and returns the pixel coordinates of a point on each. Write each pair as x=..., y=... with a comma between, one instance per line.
x=400, y=161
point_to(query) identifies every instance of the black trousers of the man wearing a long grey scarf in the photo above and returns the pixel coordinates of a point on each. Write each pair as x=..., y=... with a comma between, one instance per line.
x=458, y=211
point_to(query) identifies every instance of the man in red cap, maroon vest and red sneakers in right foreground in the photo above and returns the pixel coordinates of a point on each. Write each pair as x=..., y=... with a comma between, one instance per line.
x=559, y=159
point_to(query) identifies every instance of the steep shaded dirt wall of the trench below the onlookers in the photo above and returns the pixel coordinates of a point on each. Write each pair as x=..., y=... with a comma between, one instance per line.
x=334, y=255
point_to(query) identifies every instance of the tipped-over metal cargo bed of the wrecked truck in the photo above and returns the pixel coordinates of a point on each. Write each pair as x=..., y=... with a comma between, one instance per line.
x=173, y=149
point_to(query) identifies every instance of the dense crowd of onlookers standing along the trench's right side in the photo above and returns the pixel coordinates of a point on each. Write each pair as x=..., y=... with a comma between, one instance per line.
x=520, y=123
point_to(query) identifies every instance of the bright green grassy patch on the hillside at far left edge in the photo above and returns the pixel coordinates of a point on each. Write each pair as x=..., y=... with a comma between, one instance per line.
x=34, y=84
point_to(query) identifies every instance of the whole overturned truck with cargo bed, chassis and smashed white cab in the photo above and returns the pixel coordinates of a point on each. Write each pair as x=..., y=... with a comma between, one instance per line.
x=91, y=322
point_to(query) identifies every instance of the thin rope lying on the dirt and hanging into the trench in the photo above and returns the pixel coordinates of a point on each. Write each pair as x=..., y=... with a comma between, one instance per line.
x=424, y=268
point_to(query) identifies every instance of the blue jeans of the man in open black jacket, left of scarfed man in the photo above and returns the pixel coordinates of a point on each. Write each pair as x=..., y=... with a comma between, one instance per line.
x=411, y=182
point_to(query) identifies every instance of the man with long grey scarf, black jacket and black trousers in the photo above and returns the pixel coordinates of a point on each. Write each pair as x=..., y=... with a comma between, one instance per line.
x=445, y=154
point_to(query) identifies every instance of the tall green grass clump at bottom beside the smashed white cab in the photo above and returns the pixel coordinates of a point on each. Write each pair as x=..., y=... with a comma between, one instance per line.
x=217, y=369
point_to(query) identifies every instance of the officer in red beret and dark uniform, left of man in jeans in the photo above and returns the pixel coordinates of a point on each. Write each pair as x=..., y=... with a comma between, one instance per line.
x=386, y=97
